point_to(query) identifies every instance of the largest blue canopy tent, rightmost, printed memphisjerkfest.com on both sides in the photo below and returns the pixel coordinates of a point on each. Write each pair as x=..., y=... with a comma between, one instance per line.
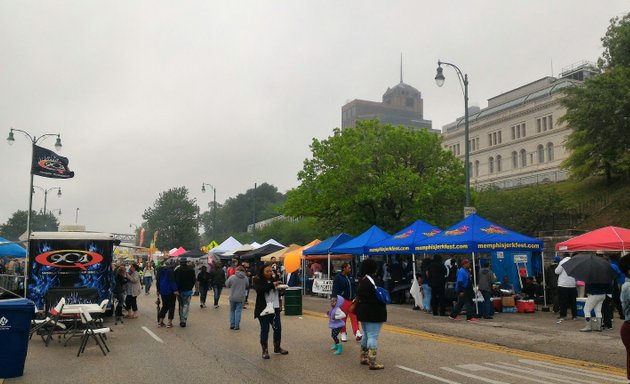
x=476, y=234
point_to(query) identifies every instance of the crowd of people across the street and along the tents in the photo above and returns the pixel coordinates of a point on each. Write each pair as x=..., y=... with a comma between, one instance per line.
x=441, y=284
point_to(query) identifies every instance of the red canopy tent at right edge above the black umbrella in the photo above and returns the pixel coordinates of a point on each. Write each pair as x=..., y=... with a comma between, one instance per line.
x=603, y=239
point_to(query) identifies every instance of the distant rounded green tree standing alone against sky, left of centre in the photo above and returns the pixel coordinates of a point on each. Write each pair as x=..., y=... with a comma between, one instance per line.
x=174, y=216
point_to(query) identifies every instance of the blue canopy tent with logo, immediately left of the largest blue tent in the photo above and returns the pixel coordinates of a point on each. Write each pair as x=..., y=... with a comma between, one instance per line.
x=404, y=241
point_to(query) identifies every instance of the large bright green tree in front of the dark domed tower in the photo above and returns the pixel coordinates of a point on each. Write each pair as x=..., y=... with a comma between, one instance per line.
x=378, y=174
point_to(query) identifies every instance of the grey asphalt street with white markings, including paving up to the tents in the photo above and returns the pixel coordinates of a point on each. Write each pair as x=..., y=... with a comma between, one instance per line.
x=414, y=346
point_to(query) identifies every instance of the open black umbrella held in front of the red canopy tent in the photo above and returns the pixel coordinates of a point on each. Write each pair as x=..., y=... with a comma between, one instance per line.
x=590, y=268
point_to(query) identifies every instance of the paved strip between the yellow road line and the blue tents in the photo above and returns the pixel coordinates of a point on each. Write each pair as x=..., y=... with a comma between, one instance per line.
x=534, y=332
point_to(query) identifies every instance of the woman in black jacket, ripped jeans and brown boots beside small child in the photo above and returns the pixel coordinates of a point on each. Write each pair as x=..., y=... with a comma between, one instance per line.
x=371, y=312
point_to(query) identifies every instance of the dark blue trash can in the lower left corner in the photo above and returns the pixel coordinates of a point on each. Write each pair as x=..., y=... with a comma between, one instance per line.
x=15, y=323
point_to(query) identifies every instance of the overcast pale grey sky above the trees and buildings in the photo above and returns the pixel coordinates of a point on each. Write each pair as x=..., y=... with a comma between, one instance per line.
x=150, y=95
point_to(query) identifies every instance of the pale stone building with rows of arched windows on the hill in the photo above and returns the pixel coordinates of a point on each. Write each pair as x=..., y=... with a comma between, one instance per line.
x=517, y=139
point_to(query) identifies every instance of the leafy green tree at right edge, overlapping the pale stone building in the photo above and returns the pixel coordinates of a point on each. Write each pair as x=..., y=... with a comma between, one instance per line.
x=598, y=112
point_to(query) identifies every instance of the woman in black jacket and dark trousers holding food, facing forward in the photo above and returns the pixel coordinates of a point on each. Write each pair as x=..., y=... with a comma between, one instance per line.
x=266, y=291
